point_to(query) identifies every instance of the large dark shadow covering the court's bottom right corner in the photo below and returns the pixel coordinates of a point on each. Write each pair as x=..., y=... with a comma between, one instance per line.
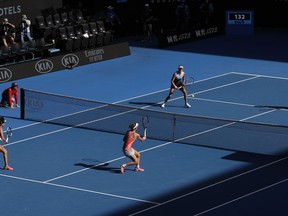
x=220, y=194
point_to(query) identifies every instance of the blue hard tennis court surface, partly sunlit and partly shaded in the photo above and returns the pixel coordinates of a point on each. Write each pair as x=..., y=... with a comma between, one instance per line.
x=237, y=167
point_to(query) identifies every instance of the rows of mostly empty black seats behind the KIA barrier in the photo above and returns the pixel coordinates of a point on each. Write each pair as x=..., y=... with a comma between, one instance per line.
x=57, y=33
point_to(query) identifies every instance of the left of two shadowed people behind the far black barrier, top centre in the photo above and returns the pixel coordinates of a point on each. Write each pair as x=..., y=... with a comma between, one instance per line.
x=182, y=16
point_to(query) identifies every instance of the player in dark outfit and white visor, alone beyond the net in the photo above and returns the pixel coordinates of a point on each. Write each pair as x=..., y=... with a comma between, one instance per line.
x=177, y=82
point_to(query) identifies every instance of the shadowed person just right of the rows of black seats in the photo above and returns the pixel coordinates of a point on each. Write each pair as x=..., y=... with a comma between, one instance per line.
x=112, y=21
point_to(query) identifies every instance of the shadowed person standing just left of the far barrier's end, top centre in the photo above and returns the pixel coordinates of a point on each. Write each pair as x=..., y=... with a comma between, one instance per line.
x=147, y=19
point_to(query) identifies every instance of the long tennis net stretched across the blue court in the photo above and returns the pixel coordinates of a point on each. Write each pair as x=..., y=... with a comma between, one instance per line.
x=171, y=127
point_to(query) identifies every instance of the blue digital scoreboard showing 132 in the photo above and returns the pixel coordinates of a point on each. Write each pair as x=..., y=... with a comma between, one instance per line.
x=239, y=22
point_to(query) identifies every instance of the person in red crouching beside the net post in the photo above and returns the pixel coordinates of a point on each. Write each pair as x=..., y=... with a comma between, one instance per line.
x=10, y=96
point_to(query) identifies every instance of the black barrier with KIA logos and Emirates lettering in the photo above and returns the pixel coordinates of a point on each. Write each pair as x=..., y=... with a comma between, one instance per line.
x=64, y=61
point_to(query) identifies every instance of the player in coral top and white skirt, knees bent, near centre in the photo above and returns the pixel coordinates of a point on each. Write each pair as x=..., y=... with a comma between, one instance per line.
x=129, y=138
